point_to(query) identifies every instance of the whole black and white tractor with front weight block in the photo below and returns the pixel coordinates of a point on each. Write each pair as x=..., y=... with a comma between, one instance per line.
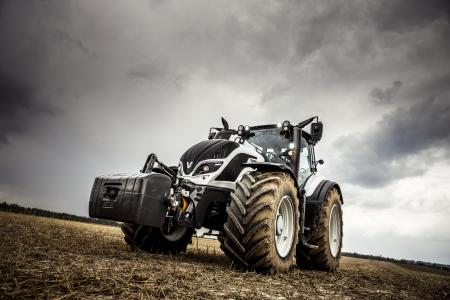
x=257, y=186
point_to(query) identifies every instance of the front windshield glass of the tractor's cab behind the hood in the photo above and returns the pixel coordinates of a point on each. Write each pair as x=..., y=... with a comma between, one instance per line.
x=270, y=143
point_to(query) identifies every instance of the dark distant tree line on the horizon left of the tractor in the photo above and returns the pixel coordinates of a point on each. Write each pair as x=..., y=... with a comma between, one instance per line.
x=15, y=208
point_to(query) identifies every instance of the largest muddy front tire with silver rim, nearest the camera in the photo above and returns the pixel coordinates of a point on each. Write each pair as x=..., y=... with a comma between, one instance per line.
x=261, y=232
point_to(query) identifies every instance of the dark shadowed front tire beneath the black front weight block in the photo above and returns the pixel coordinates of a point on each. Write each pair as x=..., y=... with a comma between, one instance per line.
x=155, y=240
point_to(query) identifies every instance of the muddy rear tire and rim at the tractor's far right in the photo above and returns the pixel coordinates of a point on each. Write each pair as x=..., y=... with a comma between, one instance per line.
x=328, y=237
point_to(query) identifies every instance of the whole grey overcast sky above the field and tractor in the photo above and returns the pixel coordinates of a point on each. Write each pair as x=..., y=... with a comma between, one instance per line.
x=91, y=87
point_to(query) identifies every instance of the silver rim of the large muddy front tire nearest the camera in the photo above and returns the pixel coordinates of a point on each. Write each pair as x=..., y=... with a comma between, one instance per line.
x=284, y=226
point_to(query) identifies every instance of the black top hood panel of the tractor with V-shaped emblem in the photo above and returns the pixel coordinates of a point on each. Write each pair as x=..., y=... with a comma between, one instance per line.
x=209, y=149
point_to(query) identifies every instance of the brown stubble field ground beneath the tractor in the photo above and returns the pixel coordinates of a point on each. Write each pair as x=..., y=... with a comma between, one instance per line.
x=49, y=258
